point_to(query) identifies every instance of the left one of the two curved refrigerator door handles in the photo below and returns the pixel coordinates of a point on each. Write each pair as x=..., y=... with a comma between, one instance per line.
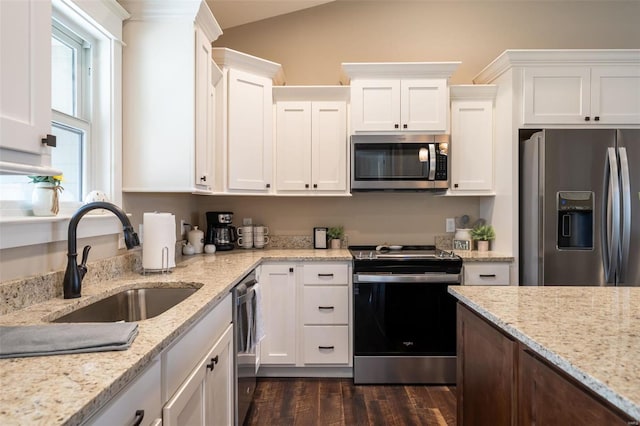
x=610, y=229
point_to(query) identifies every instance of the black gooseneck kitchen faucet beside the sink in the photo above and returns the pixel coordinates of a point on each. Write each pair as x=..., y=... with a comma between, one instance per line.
x=72, y=283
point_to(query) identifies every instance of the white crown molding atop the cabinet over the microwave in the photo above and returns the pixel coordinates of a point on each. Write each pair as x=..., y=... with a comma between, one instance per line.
x=352, y=70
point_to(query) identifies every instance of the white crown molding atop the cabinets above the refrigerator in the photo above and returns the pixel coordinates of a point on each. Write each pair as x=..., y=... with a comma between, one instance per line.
x=556, y=57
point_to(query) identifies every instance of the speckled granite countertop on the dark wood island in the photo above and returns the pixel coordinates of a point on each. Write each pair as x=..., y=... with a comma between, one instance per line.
x=591, y=333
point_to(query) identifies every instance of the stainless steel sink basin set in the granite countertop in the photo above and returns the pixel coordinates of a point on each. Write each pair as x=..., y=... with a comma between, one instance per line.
x=130, y=305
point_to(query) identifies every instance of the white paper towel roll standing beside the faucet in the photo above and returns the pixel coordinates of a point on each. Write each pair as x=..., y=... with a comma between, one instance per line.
x=159, y=241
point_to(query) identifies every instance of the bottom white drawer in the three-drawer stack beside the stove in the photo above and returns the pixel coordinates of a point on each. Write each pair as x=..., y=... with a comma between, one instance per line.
x=326, y=344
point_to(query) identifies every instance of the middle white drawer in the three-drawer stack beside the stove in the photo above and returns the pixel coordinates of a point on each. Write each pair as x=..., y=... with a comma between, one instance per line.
x=326, y=305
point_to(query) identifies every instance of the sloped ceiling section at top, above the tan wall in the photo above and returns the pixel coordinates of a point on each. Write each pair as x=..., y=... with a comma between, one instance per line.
x=231, y=13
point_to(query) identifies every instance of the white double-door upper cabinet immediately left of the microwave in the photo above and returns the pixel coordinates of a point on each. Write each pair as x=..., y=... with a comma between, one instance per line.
x=311, y=140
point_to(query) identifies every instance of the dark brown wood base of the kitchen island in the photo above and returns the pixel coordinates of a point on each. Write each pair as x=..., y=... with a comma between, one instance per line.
x=503, y=382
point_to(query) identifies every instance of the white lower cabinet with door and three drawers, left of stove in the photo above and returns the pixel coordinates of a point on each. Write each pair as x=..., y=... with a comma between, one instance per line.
x=307, y=314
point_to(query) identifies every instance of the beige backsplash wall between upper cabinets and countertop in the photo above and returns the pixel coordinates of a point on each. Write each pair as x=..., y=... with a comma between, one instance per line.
x=368, y=218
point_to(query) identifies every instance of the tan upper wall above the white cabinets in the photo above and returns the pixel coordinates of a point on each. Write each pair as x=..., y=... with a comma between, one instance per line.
x=311, y=44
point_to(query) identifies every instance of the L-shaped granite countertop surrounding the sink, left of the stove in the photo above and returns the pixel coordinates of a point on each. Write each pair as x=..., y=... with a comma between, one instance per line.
x=66, y=389
